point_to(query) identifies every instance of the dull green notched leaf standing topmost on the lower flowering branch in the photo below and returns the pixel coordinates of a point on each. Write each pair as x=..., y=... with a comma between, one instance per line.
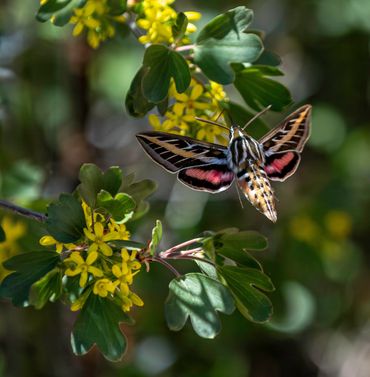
x=93, y=180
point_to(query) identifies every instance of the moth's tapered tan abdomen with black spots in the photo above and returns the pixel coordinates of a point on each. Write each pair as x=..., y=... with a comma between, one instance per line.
x=256, y=187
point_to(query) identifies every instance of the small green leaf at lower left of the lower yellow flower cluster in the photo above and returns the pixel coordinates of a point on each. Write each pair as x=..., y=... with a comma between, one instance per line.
x=48, y=288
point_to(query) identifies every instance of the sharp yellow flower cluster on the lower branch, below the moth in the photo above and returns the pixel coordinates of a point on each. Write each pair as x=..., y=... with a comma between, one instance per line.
x=100, y=269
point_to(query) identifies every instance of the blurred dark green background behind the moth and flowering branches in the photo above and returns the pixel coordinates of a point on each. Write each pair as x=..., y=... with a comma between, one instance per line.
x=62, y=104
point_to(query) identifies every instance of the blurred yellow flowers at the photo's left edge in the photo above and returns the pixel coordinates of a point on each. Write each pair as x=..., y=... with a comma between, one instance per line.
x=13, y=230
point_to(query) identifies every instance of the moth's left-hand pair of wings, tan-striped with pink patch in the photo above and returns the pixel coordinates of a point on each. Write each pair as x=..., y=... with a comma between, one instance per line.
x=201, y=166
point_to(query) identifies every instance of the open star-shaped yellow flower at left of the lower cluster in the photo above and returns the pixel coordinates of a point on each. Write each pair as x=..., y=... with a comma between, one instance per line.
x=77, y=265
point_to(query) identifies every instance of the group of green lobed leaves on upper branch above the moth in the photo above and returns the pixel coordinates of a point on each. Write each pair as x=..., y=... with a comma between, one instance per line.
x=224, y=51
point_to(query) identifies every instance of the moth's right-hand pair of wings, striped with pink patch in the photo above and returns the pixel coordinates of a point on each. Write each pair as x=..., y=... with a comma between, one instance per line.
x=283, y=144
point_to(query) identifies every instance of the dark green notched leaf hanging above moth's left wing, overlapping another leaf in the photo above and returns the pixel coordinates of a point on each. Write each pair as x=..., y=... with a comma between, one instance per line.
x=162, y=64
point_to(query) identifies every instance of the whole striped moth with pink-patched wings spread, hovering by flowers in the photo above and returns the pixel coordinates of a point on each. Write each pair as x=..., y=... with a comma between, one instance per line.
x=213, y=168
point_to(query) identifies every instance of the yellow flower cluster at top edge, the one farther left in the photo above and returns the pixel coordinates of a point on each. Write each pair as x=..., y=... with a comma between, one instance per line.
x=95, y=16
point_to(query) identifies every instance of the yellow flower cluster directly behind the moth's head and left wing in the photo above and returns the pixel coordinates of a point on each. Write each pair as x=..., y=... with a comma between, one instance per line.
x=200, y=100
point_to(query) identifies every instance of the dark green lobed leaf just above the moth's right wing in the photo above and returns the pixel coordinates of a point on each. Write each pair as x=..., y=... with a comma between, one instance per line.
x=259, y=91
